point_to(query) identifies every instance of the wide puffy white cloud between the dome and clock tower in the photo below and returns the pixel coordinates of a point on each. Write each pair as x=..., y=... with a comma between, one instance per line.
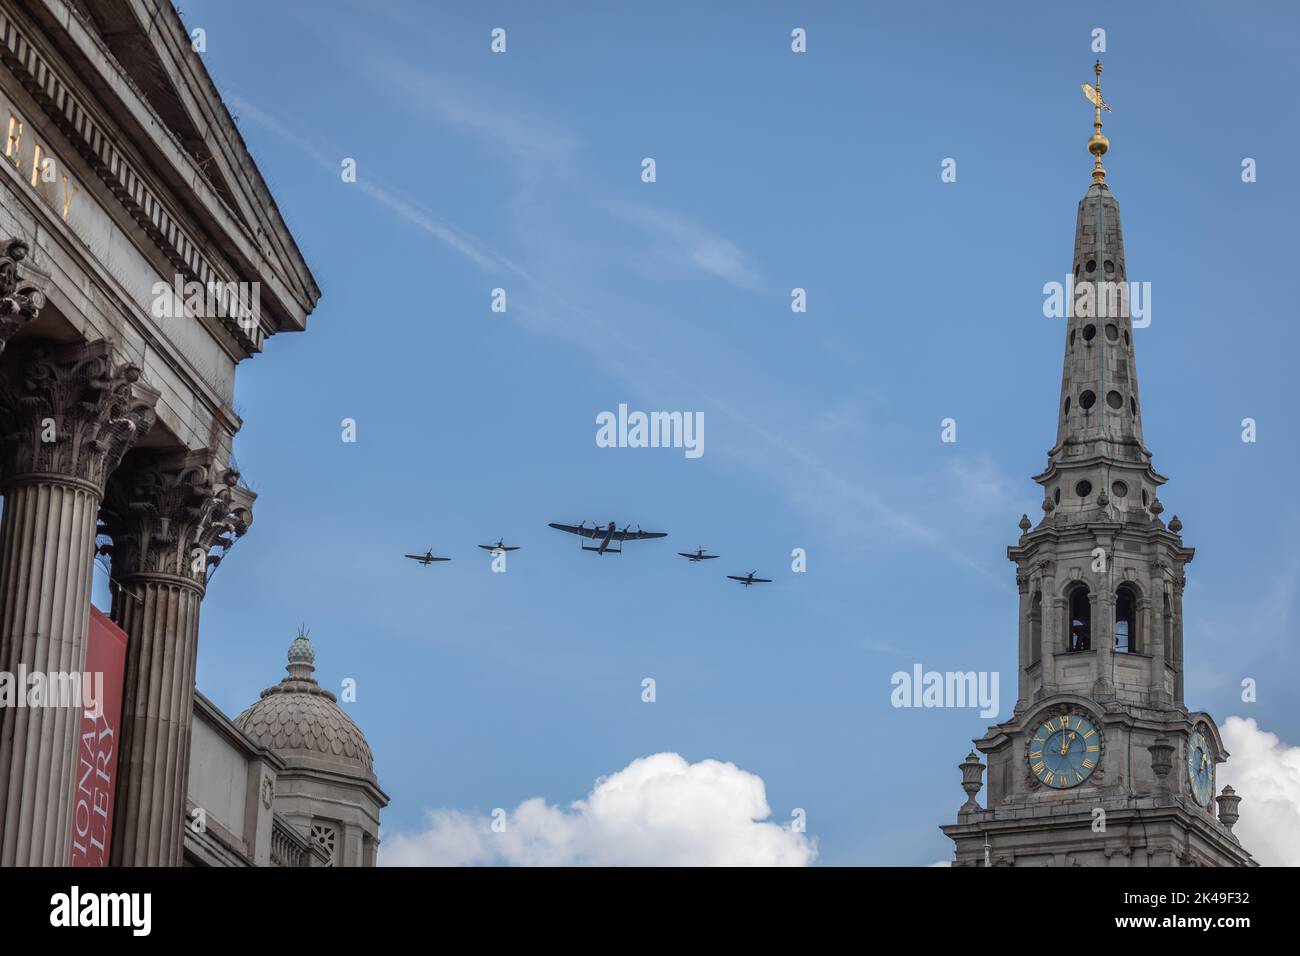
x=660, y=811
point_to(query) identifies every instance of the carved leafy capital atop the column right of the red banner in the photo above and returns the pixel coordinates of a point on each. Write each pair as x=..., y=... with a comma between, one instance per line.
x=168, y=511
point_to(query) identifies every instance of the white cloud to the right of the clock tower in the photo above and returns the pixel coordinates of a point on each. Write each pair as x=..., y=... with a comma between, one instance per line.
x=1266, y=773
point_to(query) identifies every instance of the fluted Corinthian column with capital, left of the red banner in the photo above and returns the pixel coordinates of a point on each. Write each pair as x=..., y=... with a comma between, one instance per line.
x=67, y=417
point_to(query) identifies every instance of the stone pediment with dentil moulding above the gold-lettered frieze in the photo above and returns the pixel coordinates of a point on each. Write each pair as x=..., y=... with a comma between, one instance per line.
x=159, y=109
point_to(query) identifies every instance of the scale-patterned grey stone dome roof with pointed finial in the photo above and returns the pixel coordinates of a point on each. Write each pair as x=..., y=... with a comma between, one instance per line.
x=302, y=721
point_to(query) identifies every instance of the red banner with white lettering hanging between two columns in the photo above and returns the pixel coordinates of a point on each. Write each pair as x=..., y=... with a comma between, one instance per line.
x=97, y=759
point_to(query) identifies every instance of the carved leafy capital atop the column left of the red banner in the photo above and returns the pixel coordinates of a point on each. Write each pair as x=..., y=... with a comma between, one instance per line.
x=70, y=412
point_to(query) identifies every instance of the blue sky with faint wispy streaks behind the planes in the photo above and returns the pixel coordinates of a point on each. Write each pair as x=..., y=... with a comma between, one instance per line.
x=821, y=171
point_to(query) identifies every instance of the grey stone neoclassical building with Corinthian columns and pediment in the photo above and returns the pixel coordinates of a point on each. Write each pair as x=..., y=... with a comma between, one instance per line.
x=142, y=259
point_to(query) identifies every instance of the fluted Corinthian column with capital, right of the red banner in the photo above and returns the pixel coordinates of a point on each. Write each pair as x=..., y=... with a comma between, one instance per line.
x=166, y=513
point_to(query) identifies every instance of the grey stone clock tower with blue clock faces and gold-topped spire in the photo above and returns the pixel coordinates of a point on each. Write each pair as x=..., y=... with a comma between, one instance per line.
x=1100, y=764
